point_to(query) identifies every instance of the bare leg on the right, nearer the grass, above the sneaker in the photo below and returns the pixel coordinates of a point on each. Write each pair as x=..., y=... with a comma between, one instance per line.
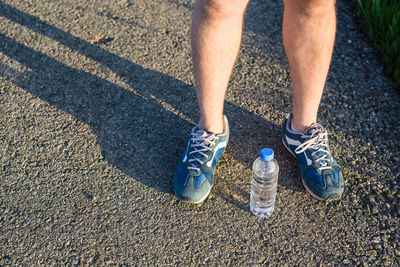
x=309, y=28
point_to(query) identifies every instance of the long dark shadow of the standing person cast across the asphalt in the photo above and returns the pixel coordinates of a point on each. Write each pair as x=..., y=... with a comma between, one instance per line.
x=141, y=130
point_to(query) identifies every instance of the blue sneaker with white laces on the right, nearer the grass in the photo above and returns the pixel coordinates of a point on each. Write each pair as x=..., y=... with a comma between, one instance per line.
x=320, y=174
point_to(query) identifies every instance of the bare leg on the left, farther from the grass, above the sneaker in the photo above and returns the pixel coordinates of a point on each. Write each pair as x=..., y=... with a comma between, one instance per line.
x=216, y=35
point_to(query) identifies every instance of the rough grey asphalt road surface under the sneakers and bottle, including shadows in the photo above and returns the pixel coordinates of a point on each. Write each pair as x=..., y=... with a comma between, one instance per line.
x=97, y=100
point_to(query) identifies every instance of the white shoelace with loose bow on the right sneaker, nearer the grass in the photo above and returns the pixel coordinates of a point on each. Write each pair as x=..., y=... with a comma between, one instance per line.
x=318, y=142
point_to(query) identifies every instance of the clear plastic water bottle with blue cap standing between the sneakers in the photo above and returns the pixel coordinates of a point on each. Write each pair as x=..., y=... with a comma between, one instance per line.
x=264, y=183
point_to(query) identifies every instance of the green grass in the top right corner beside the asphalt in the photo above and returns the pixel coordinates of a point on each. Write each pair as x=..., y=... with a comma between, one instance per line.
x=382, y=21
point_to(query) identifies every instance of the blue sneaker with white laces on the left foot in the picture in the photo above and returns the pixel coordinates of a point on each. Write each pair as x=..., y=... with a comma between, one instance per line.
x=194, y=175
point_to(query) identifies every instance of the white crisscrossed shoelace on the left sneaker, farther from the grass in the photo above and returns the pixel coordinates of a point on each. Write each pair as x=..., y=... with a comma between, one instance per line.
x=201, y=143
